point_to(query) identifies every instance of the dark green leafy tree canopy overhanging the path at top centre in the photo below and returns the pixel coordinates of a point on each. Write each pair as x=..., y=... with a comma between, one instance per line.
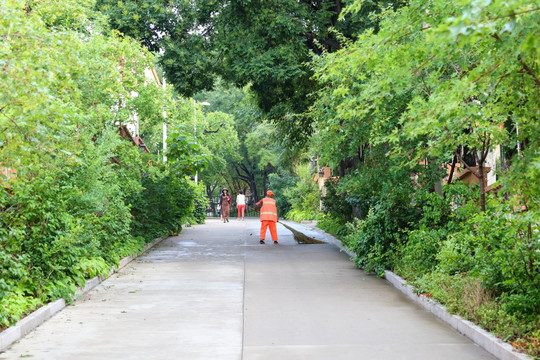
x=267, y=44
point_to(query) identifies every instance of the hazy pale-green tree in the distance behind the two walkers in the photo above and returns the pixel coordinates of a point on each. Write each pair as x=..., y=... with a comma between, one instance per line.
x=257, y=154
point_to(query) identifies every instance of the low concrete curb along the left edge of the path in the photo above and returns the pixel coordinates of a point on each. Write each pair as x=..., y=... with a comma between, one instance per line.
x=39, y=316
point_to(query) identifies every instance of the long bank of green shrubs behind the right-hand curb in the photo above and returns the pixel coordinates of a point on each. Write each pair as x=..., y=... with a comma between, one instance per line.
x=483, y=266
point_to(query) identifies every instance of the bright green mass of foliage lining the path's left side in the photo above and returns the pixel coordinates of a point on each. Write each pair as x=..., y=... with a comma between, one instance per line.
x=75, y=195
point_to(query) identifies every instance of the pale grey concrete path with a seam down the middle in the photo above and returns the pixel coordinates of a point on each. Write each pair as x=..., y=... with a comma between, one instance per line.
x=214, y=293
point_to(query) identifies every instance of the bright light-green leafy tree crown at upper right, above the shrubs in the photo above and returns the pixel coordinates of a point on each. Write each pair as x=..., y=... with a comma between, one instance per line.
x=428, y=84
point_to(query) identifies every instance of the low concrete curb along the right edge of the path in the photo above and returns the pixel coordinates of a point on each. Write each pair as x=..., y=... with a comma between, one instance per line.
x=479, y=336
